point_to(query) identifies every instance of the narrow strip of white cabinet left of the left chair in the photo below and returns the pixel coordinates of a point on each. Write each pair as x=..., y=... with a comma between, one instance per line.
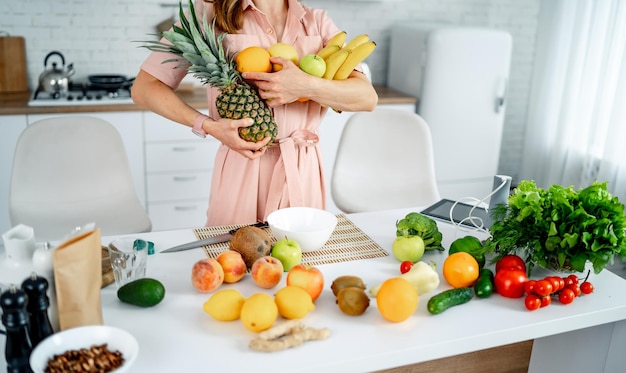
x=11, y=126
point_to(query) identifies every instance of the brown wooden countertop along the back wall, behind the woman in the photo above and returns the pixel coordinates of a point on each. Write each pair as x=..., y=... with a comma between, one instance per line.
x=17, y=103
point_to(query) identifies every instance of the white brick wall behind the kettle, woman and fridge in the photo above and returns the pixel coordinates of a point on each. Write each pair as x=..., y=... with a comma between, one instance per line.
x=97, y=37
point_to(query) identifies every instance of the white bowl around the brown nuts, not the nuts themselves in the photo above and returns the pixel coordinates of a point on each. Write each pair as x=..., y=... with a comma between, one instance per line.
x=84, y=337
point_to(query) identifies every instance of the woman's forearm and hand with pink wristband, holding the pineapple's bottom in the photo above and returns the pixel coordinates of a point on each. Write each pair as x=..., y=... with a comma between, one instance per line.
x=160, y=98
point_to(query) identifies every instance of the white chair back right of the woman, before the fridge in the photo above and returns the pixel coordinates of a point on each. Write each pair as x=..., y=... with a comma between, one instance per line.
x=384, y=160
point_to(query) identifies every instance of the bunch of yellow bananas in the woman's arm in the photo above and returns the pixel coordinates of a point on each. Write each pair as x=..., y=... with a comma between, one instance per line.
x=341, y=60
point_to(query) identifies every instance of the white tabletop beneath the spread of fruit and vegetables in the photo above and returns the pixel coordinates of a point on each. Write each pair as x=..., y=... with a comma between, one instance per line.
x=176, y=335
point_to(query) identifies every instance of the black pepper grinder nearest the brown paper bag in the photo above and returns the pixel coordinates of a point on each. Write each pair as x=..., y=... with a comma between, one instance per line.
x=39, y=326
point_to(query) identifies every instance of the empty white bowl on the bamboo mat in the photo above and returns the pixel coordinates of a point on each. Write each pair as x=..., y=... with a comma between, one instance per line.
x=309, y=227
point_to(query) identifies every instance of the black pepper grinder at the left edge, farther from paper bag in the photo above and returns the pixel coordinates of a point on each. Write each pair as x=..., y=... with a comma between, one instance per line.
x=15, y=321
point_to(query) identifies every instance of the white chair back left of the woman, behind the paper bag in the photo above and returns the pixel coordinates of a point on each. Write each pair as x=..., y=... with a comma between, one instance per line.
x=70, y=171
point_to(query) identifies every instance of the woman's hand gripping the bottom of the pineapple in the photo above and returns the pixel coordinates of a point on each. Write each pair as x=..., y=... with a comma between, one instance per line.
x=227, y=132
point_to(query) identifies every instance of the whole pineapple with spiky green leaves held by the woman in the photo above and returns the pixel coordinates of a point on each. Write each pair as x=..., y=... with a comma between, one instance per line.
x=205, y=58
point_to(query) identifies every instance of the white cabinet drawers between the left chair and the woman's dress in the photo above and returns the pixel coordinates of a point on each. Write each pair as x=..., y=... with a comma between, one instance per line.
x=179, y=166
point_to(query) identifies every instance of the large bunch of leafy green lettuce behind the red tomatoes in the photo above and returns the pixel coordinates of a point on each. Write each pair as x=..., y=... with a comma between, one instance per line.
x=560, y=227
